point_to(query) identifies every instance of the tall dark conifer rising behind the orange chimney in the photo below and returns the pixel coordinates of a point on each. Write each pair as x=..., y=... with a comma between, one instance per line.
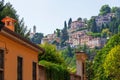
x=20, y=28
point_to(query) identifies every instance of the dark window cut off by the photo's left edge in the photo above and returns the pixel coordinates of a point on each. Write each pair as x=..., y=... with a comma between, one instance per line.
x=1, y=65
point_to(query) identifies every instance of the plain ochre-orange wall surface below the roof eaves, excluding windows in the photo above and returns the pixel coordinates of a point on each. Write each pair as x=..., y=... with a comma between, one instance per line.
x=16, y=49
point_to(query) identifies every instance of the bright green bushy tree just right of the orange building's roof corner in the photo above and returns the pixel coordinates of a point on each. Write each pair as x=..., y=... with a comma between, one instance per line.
x=51, y=54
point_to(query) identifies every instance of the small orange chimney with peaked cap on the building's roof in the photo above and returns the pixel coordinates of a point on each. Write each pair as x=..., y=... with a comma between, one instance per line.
x=9, y=22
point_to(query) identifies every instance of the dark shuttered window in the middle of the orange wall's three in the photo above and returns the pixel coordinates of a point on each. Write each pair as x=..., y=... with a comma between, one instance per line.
x=19, y=68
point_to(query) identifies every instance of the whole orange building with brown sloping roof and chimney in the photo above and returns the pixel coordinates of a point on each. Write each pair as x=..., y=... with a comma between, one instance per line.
x=18, y=56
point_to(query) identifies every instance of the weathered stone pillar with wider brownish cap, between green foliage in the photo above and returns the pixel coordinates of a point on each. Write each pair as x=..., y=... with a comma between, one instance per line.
x=80, y=61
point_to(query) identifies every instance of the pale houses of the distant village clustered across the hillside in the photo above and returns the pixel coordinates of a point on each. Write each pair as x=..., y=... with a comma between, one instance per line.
x=79, y=33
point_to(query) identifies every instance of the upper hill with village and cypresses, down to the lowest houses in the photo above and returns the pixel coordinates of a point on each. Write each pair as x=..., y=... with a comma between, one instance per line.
x=92, y=33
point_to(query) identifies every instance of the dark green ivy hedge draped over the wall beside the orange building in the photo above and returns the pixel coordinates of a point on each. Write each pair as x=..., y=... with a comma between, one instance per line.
x=55, y=71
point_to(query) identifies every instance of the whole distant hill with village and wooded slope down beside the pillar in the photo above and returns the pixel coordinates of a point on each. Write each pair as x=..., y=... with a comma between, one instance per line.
x=84, y=35
